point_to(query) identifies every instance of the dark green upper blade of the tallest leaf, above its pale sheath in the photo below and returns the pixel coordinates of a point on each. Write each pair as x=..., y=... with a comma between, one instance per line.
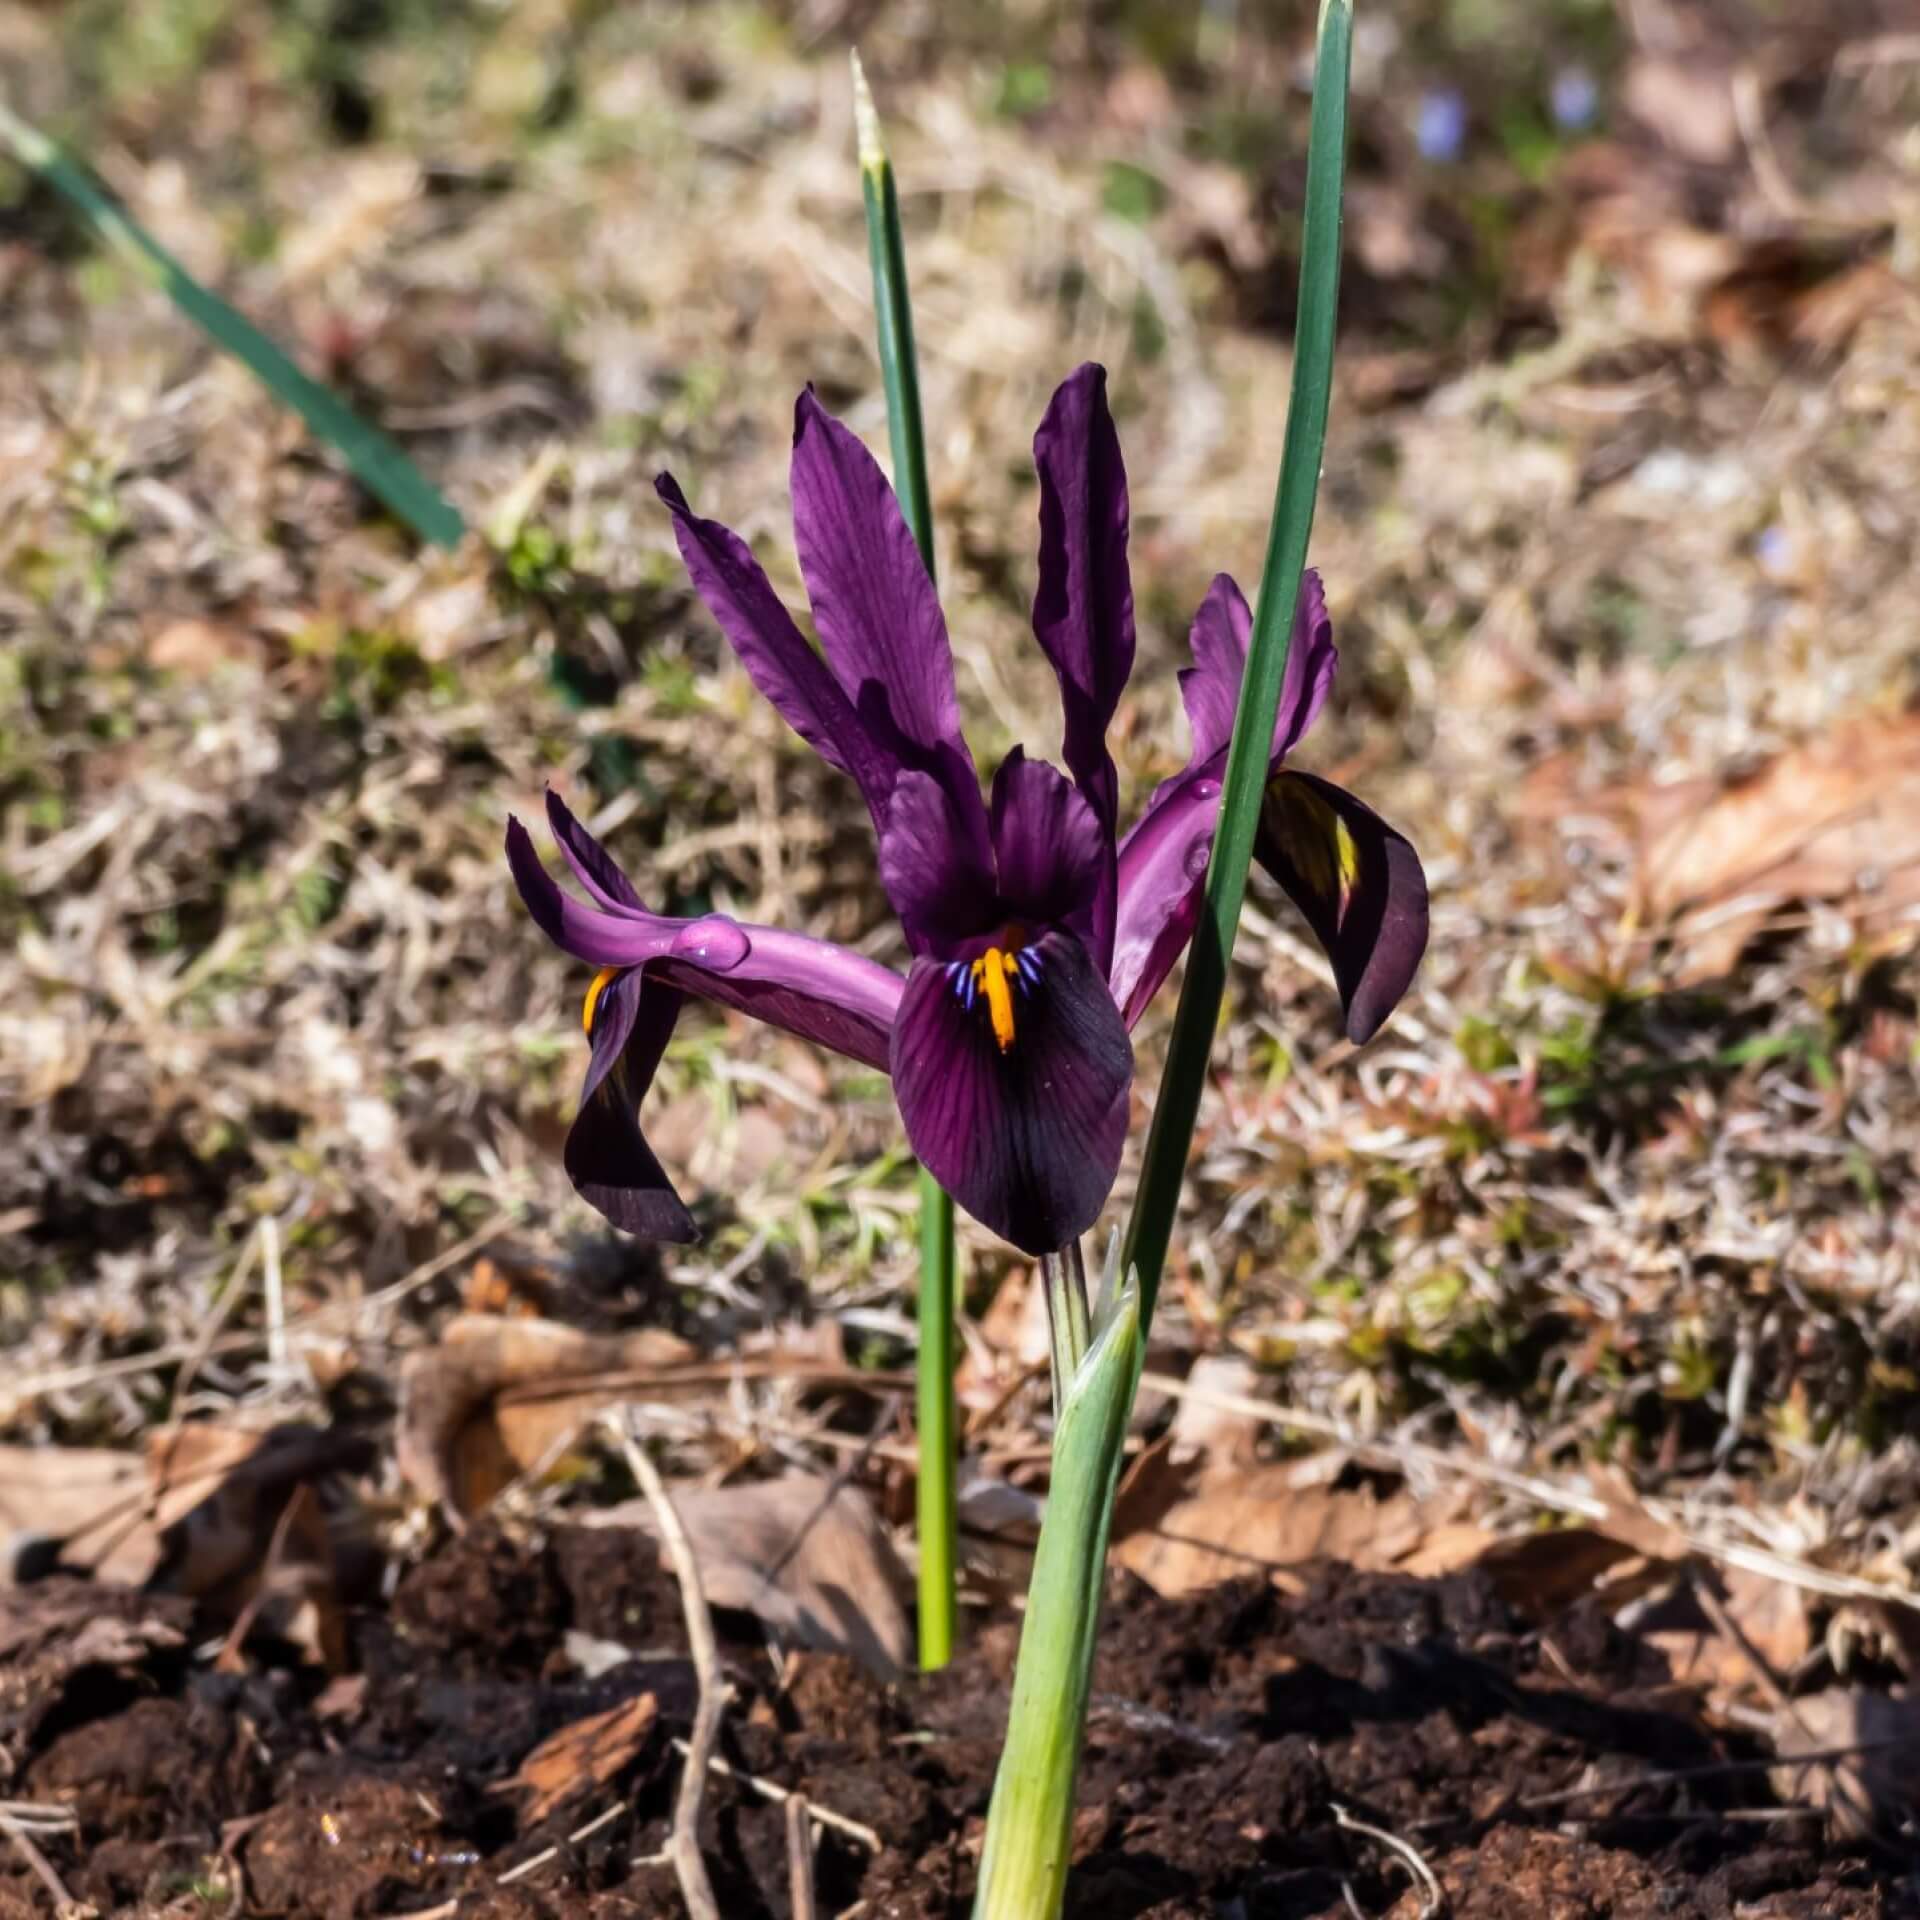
x=1178, y=1107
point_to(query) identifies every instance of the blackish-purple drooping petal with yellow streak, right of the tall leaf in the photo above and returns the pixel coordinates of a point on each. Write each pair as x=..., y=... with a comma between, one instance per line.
x=1358, y=884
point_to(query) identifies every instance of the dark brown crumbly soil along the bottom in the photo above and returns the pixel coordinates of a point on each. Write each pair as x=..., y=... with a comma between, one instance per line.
x=1234, y=1742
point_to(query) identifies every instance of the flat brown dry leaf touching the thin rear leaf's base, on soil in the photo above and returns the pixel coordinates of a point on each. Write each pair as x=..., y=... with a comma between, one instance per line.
x=805, y=1554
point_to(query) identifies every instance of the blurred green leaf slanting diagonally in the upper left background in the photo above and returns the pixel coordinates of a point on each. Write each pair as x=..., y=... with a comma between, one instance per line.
x=377, y=464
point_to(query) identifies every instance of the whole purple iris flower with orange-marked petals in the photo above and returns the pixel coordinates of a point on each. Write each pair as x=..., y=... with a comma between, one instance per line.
x=1038, y=934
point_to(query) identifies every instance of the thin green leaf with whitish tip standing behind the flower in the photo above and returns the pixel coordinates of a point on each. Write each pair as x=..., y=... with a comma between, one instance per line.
x=936, y=1366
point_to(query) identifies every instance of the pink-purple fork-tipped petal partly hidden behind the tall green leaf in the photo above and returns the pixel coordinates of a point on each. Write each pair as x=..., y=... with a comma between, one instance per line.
x=1163, y=863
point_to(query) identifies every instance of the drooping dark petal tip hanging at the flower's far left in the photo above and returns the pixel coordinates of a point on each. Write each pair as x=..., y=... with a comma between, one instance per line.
x=608, y=1157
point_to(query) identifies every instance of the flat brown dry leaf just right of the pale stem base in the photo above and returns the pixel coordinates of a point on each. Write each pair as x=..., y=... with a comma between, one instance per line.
x=1184, y=1529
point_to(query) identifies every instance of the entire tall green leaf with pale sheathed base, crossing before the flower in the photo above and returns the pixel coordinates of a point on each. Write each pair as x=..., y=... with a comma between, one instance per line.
x=1030, y=1823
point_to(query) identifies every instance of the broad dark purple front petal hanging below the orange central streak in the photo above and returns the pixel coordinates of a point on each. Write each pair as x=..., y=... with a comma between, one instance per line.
x=1028, y=1140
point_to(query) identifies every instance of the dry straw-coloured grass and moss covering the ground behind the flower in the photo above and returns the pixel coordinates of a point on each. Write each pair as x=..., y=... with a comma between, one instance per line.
x=262, y=961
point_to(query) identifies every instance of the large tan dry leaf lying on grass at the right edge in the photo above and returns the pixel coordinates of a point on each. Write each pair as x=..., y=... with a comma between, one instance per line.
x=1836, y=819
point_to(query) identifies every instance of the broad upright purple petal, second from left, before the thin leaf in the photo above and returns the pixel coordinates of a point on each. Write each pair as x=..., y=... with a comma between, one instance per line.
x=878, y=615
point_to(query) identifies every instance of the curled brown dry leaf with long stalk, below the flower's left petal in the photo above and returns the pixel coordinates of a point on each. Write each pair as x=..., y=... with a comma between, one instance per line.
x=502, y=1397
